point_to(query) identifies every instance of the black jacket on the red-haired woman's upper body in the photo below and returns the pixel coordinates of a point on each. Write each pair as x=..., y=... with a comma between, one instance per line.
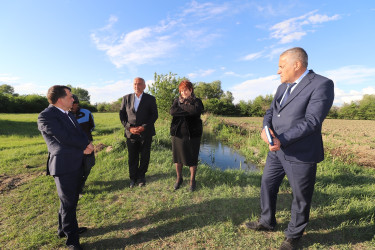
x=188, y=113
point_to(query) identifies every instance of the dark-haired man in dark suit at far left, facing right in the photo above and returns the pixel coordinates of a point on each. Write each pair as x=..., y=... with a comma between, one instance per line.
x=67, y=143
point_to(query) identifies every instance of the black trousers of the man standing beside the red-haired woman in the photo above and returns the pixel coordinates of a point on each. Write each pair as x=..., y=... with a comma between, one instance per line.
x=139, y=157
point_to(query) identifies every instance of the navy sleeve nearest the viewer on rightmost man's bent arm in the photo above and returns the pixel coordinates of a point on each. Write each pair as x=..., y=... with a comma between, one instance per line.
x=316, y=111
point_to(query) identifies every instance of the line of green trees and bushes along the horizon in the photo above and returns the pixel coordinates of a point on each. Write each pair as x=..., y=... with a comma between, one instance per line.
x=165, y=90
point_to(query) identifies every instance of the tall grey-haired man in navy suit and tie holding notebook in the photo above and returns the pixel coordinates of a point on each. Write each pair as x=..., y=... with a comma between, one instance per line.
x=295, y=119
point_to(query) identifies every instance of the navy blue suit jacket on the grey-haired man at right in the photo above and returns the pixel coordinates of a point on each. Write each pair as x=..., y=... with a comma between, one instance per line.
x=298, y=123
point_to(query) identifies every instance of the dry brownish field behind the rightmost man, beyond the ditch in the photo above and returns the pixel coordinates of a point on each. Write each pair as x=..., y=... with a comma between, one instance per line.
x=349, y=140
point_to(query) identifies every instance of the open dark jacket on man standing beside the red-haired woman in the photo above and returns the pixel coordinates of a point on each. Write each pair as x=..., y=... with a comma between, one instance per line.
x=145, y=116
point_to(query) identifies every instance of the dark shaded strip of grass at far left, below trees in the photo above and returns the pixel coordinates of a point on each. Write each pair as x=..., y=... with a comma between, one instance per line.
x=19, y=128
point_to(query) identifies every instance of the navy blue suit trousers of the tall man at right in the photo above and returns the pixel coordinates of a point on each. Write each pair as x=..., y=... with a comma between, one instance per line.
x=301, y=177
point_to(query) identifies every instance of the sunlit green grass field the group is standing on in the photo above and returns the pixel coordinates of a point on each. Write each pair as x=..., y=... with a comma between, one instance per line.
x=342, y=214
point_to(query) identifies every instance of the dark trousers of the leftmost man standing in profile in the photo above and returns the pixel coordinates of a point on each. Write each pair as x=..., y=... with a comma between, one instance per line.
x=68, y=187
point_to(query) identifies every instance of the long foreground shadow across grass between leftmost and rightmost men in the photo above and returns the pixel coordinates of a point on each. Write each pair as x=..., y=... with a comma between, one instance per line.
x=174, y=221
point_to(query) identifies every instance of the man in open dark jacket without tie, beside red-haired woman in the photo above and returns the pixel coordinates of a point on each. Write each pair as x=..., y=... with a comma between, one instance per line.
x=138, y=114
